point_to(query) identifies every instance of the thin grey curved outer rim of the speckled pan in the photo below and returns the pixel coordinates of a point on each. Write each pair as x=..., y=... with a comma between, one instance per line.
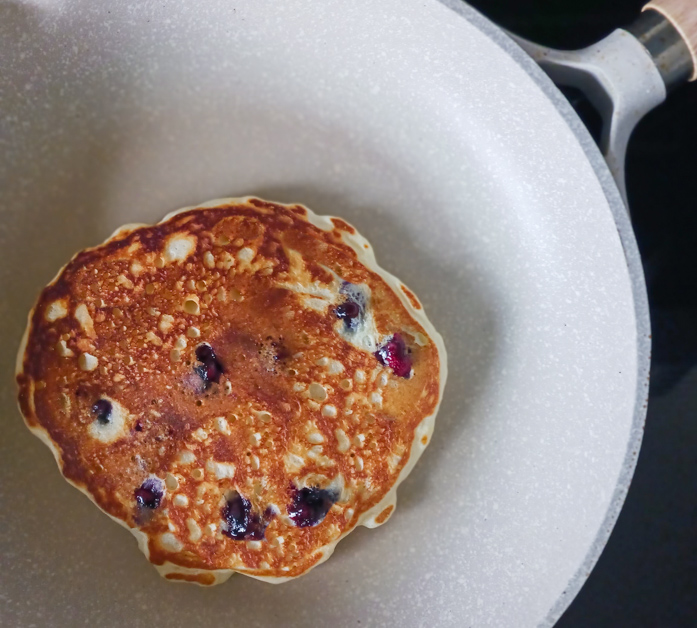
x=622, y=220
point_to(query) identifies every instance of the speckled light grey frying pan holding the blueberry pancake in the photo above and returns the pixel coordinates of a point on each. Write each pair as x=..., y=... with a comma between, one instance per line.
x=432, y=131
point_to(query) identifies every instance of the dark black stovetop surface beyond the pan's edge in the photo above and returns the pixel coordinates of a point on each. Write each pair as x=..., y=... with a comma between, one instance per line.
x=647, y=575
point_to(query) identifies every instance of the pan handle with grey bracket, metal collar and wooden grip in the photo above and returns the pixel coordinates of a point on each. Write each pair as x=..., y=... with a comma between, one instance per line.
x=629, y=72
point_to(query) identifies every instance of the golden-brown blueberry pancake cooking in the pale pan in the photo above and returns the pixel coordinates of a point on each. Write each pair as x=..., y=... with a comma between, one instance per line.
x=240, y=385
